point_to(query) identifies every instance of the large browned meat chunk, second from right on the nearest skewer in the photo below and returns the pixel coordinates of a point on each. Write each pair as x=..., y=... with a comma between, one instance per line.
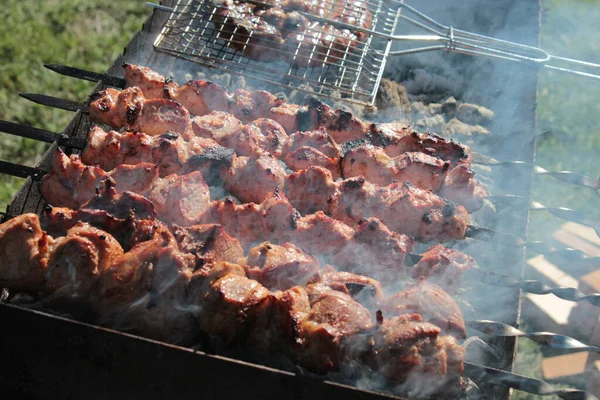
x=335, y=330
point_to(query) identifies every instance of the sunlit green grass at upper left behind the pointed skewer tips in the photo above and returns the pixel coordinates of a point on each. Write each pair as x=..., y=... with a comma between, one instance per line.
x=85, y=33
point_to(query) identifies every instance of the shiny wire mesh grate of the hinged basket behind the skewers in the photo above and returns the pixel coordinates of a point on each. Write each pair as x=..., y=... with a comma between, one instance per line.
x=195, y=31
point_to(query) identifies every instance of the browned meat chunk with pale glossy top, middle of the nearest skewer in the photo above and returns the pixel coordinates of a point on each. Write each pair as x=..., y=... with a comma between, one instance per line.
x=229, y=303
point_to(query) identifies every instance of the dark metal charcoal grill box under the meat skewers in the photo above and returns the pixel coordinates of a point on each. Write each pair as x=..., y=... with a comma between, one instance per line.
x=86, y=356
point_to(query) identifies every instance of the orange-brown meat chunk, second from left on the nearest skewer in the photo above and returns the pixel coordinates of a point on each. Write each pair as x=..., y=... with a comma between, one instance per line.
x=78, y=259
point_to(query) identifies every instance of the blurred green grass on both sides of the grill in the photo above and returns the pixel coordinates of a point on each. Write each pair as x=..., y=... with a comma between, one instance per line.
x=92, y=33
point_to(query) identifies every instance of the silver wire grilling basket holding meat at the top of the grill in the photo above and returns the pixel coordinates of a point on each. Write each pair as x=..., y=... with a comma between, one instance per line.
x=191, y=34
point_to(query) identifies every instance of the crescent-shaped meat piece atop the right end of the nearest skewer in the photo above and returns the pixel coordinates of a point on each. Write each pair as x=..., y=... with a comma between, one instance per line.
x=432, y=303
